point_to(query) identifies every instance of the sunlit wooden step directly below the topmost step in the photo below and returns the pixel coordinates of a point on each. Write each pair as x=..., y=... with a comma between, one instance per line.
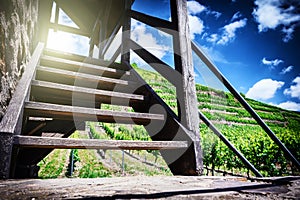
x=76, y=66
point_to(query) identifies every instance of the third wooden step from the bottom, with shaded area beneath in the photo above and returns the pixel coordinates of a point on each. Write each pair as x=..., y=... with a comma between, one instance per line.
x=64, y=94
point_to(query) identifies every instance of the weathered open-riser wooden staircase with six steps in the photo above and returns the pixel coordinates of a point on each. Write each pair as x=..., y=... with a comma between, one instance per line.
x=65, y=90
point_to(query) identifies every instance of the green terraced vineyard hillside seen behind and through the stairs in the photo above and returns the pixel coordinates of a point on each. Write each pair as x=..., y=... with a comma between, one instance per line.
x=218, y=106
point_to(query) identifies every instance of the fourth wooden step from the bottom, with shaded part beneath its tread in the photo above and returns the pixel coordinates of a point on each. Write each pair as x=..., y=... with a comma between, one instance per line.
x=74, y=78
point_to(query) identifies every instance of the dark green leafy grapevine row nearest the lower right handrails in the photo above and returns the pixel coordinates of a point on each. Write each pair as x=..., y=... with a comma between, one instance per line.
x=255, y=145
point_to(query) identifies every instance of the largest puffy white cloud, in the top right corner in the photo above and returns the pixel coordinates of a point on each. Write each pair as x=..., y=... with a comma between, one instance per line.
x=270, y=14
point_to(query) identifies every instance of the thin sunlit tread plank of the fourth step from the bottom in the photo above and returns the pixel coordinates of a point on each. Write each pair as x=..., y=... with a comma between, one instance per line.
x=83, y=76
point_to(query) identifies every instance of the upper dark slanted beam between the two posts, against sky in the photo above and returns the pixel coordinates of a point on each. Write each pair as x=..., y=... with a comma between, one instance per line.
x=163, y=25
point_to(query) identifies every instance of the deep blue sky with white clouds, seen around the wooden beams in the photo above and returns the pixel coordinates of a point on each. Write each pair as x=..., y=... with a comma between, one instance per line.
x=254, y=43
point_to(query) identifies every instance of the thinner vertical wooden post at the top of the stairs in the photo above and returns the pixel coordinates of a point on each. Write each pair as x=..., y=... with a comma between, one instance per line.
x=125, y=50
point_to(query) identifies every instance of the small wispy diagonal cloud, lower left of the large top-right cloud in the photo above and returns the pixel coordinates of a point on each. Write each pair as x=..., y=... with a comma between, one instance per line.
x=229, y=31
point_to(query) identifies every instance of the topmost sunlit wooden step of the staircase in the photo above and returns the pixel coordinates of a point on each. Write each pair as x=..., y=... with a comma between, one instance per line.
x=84, y=59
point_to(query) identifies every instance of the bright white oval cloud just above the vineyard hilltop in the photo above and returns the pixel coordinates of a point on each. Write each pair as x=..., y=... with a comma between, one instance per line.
x=264, y=89
